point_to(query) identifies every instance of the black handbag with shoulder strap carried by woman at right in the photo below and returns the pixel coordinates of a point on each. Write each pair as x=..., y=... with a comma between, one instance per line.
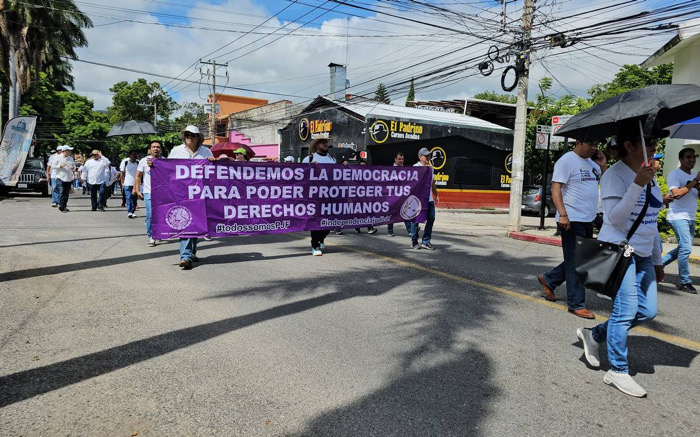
x=601, y=266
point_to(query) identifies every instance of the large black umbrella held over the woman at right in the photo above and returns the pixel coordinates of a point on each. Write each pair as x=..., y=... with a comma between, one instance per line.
x=656, y=107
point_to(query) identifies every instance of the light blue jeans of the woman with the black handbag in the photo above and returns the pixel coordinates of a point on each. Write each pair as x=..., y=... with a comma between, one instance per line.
x=635, y=303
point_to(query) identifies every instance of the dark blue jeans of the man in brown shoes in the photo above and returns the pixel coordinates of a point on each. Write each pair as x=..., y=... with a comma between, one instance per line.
x=564, y=272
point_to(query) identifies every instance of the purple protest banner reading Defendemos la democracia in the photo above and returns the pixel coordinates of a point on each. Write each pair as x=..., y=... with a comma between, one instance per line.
x=195, y=198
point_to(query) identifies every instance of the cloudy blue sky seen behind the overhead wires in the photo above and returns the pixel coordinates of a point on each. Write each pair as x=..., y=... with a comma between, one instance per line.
x=171, y=50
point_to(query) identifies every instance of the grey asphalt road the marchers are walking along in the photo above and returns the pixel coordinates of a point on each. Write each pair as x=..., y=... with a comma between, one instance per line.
x=102, y=335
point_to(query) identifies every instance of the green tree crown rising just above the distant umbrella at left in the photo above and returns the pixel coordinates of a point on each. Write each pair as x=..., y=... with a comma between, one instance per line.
x=133, y=101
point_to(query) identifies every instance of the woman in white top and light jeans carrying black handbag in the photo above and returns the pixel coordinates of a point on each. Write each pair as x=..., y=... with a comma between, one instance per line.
x=623, y=189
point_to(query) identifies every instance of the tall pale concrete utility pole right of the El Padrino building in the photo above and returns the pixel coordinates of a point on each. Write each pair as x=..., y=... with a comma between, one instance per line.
x=516, y=184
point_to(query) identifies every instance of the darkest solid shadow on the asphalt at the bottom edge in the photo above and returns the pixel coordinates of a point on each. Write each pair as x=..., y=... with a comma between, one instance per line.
x=448, y=399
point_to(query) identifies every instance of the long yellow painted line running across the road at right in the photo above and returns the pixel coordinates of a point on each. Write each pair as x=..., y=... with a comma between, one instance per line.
x=680, y=341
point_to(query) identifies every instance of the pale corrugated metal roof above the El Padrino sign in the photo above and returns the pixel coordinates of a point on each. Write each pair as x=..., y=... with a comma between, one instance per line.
x=373, y=109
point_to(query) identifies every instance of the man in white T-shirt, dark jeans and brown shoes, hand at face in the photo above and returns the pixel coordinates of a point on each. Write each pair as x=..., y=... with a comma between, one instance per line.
x=575, y=195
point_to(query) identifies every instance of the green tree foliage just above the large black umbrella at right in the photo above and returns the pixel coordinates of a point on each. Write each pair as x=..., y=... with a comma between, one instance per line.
x=631, y=77
